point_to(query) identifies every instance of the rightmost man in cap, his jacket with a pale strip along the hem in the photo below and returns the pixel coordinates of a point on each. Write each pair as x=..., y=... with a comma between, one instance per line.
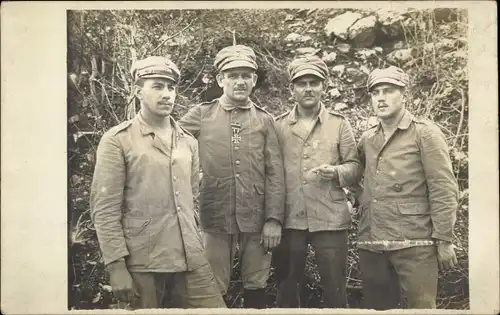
x=408, y=203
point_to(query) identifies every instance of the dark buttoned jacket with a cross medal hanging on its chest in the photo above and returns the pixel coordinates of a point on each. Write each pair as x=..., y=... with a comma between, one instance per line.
x=243, y=180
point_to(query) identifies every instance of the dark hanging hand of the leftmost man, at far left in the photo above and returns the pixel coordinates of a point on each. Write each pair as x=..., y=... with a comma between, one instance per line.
x=121, y=282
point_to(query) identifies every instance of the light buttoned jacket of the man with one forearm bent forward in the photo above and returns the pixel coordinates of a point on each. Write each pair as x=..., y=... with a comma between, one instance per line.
x=312, y=203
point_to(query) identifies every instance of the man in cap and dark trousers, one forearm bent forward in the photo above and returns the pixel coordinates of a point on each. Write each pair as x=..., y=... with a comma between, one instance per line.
x=320, y=159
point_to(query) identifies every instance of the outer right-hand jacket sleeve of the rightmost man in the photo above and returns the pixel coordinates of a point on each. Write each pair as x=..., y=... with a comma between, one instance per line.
x=441, y=183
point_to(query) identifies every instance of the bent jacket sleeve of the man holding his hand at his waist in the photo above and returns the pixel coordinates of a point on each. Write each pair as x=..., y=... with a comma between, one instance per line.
x=350, y=168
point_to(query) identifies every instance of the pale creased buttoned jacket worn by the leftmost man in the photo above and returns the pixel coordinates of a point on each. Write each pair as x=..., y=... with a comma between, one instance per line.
x=142, y=198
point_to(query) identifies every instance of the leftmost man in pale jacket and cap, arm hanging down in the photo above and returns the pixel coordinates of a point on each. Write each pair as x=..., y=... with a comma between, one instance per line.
x=145, y=179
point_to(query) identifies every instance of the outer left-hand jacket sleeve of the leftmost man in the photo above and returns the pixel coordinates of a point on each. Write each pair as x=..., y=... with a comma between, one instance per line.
x=106, y=198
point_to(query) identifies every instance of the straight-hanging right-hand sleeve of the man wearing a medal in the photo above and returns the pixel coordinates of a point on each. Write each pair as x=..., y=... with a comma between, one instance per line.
x=275, y=175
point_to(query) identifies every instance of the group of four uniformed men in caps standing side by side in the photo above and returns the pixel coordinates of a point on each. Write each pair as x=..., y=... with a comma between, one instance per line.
x=269, y=187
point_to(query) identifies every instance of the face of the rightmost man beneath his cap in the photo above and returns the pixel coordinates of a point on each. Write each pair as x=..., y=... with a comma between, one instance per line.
x=387, y=100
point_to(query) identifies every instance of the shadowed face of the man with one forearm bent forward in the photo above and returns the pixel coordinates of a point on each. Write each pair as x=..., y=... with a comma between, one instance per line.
x=307, y=90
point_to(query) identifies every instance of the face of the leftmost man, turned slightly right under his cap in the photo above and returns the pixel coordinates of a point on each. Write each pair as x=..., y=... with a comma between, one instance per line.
x=157, y=96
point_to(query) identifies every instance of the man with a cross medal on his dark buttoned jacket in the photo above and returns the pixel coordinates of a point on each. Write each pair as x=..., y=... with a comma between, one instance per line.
x=242, y=189
